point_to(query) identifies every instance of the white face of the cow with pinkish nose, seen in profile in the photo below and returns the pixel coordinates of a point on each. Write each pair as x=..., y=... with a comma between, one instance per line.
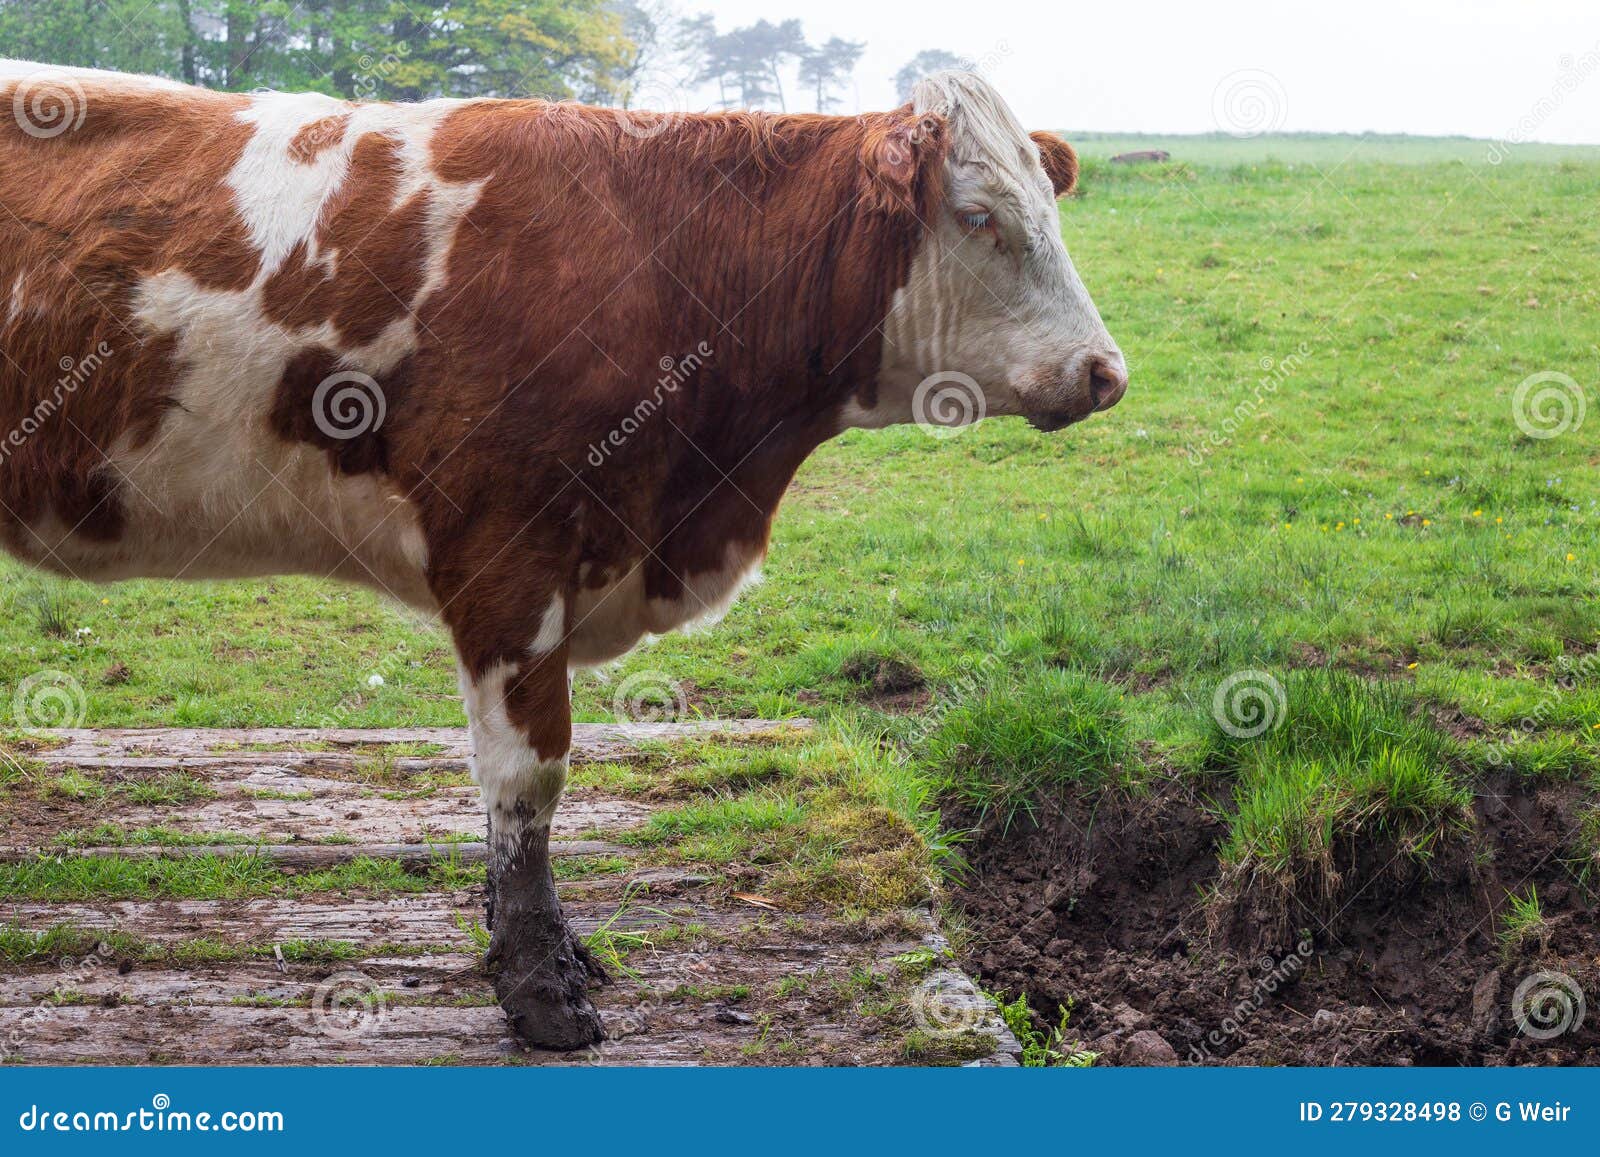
x=993, y=302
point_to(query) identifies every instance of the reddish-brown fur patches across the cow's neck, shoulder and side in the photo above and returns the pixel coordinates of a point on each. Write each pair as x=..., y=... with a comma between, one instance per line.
x=590, y=257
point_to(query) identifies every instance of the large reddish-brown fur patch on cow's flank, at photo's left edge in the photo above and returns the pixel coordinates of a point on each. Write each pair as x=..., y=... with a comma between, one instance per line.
x=135, y=190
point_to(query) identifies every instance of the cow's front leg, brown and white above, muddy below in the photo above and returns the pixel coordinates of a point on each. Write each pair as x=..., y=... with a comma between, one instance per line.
x=521, y=735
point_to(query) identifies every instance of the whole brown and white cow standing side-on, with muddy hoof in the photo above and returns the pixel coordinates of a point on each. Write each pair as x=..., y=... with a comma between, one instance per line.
x=537, y=369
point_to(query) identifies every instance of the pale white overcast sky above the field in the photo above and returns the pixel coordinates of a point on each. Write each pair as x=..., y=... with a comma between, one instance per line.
x=1505, y=70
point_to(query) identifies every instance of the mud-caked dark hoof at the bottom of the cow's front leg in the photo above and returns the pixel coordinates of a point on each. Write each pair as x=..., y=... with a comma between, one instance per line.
x=543, y=987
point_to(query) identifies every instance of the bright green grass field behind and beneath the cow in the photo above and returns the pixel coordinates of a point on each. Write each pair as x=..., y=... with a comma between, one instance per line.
x=1318, y=474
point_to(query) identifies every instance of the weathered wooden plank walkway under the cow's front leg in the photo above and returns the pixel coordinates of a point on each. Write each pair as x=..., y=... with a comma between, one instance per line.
x=398, y=979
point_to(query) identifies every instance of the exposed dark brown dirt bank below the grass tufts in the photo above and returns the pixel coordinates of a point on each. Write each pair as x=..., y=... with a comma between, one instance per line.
x=1105, y=905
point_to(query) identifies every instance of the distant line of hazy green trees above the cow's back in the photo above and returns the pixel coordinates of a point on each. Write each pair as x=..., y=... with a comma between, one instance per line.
x=604, y=52
